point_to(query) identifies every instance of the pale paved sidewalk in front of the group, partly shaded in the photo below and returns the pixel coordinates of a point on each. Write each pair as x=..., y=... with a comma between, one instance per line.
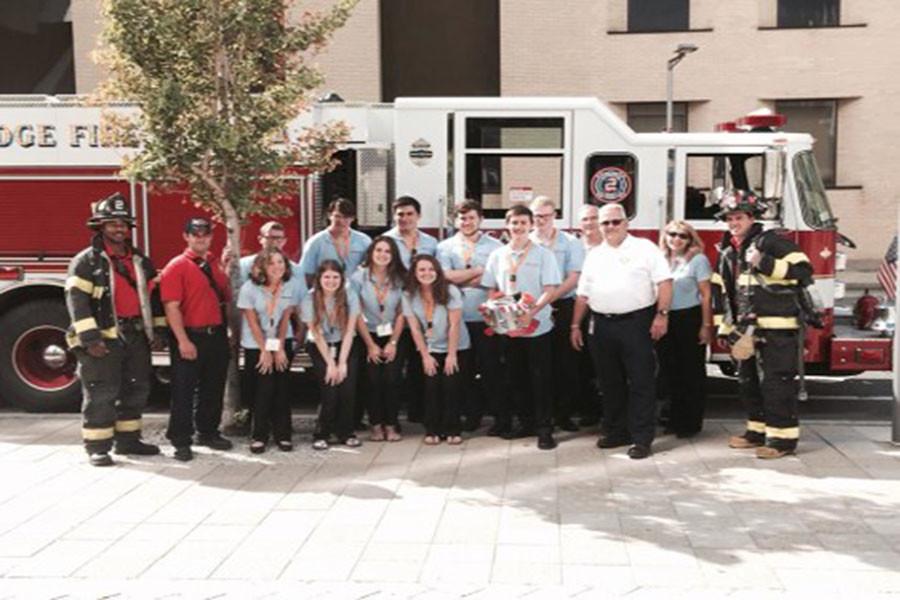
x=490, y=519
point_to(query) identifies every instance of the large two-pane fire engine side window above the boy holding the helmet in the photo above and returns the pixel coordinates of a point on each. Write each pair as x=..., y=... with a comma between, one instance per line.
x=513, y=160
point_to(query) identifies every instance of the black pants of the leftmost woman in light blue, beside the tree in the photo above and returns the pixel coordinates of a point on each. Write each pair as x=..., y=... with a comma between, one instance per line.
x=272, y=405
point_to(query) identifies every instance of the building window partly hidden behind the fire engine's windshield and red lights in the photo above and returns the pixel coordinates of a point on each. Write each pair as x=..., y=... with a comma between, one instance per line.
x=819, y=119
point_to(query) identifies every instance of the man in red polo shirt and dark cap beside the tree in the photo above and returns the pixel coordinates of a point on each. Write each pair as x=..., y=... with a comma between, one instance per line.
x=195, y=294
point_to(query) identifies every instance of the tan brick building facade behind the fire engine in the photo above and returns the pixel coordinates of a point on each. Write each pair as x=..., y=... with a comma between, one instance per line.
x=829, y=65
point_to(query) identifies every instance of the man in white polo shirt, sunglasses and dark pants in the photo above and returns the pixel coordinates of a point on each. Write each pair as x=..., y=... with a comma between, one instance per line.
x=628, y=287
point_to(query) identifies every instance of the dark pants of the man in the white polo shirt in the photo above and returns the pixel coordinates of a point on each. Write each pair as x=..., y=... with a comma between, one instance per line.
x=627, y=368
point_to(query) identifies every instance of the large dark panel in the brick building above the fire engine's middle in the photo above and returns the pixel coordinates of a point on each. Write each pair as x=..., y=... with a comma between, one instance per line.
x=440, y=48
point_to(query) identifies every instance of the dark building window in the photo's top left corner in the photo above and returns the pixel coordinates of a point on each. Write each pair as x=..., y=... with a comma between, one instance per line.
x=36, y=46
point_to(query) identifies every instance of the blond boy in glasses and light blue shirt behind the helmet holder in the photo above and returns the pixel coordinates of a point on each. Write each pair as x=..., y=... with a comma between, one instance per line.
x=569, y=253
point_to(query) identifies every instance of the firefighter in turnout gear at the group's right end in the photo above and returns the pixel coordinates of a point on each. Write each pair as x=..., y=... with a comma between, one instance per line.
x=758, y=280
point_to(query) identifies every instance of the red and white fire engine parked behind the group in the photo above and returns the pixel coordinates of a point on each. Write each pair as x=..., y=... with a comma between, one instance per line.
x=499, y=151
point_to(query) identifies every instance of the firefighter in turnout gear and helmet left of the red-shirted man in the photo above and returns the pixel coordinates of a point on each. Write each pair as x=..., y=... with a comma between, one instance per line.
x=114, y=307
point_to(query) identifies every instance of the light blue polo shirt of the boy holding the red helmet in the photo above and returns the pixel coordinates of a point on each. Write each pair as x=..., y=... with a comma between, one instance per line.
x=538, y=269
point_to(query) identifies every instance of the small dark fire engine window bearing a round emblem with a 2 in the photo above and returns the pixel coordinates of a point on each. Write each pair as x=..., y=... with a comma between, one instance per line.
x=611, y=179
